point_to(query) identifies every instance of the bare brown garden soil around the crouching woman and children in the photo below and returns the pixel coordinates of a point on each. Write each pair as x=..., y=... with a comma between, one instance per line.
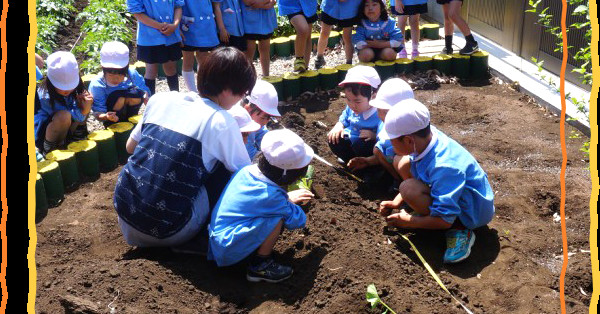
x=514, y=267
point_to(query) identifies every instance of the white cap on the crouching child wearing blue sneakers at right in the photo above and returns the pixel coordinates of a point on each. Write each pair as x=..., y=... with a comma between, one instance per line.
x=406, y=117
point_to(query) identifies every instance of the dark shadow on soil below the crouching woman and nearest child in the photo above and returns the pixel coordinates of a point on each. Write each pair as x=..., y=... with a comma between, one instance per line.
x=230, y=283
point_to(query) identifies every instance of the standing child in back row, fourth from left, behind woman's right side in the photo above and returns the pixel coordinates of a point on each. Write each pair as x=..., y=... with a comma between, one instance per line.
x=260, y=21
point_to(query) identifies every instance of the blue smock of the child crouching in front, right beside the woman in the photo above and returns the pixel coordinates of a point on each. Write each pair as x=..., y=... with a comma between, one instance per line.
x=249, y=209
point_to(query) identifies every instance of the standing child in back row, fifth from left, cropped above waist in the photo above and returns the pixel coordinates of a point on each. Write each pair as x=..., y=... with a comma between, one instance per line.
x=302, y=14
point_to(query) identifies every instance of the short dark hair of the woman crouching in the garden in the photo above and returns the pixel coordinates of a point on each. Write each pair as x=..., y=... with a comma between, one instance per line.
x=226, y=68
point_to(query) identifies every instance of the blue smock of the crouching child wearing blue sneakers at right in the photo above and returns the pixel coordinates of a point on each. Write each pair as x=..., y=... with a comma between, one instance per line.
x=459, y=186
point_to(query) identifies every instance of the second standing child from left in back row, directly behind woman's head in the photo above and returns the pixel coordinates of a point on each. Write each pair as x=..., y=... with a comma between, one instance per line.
x=199, y=30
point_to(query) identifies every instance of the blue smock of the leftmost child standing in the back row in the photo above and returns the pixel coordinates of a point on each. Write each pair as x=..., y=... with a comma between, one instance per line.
x=160, y=11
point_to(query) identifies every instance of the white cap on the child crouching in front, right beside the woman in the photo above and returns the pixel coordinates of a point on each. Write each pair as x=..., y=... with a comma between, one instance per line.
x=286, y=150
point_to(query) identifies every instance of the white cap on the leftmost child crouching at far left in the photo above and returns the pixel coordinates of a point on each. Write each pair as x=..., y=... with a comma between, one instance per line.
x=63, y=70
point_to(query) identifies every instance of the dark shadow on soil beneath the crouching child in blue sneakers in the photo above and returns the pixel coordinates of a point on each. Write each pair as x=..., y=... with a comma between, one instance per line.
x=432, y=244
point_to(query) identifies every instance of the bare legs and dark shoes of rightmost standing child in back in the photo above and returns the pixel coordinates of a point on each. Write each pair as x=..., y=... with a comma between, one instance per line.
x=452, y=16
